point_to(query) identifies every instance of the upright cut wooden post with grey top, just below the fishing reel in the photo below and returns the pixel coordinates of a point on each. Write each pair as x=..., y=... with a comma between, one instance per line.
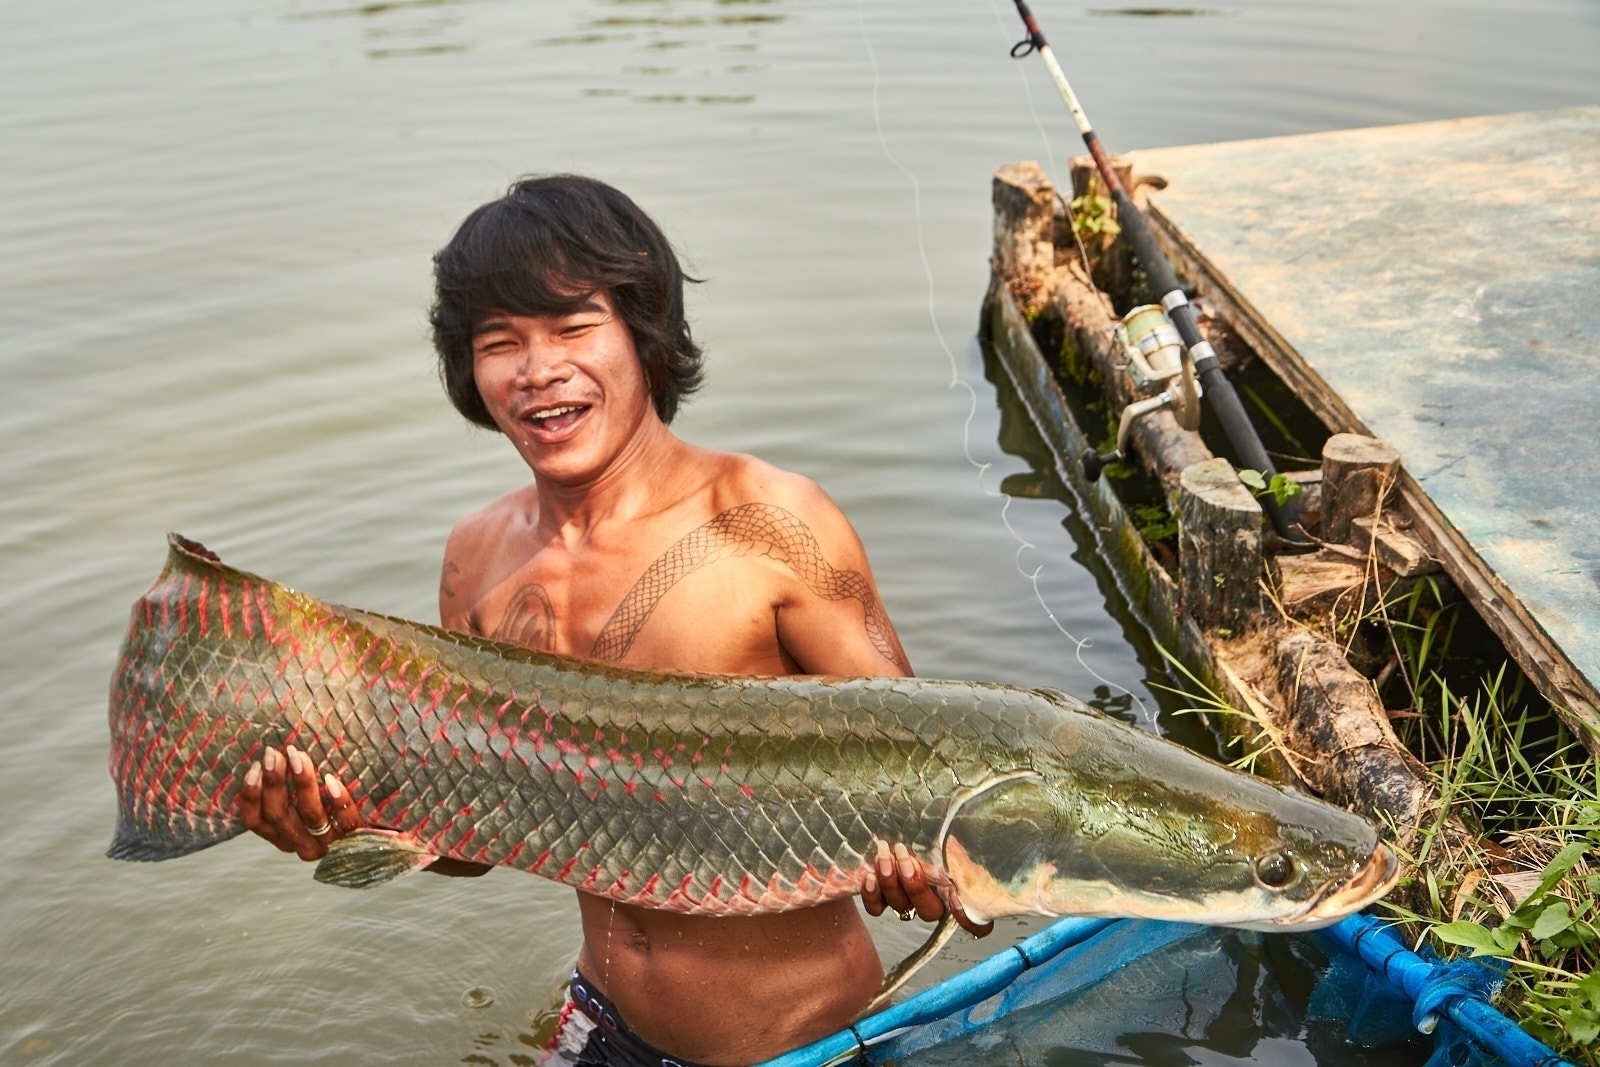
x=1218, y=548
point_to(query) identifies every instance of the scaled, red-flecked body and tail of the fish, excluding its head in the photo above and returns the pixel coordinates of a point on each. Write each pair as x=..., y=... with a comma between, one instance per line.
x=612, y=780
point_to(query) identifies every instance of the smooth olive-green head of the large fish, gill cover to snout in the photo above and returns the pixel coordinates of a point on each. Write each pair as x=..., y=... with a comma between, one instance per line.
x=1169, y=836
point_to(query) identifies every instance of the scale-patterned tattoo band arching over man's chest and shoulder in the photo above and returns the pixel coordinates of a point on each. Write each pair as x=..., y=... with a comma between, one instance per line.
x=738, y=532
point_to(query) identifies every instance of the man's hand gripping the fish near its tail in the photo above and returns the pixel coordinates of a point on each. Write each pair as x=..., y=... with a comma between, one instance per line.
x=282, y=802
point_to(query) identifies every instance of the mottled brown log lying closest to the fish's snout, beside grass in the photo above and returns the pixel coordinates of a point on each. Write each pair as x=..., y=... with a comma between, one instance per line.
x=1342, y=738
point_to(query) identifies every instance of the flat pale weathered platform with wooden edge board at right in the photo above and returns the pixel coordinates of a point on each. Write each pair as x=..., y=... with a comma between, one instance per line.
x=1433, y=286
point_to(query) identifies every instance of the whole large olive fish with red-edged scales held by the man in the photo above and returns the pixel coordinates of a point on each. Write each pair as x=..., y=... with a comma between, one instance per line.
x=695, y=794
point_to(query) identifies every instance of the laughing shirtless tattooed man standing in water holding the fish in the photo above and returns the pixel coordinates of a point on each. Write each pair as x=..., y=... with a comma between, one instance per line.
x=559, y=322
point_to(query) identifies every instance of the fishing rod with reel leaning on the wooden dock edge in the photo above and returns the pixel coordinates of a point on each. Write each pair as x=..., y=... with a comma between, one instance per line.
x=1198, y=351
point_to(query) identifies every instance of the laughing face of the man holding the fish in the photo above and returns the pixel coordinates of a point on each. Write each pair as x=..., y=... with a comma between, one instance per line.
x=566, y=390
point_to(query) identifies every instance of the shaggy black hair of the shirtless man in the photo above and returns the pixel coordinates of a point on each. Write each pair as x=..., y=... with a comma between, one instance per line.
x=545, y=249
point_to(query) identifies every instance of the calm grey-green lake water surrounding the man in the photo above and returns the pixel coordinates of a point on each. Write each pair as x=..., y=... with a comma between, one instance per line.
x=217, y=231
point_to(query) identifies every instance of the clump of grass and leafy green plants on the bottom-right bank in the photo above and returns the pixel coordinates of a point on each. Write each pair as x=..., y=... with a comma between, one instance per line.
x=1503, y=869
